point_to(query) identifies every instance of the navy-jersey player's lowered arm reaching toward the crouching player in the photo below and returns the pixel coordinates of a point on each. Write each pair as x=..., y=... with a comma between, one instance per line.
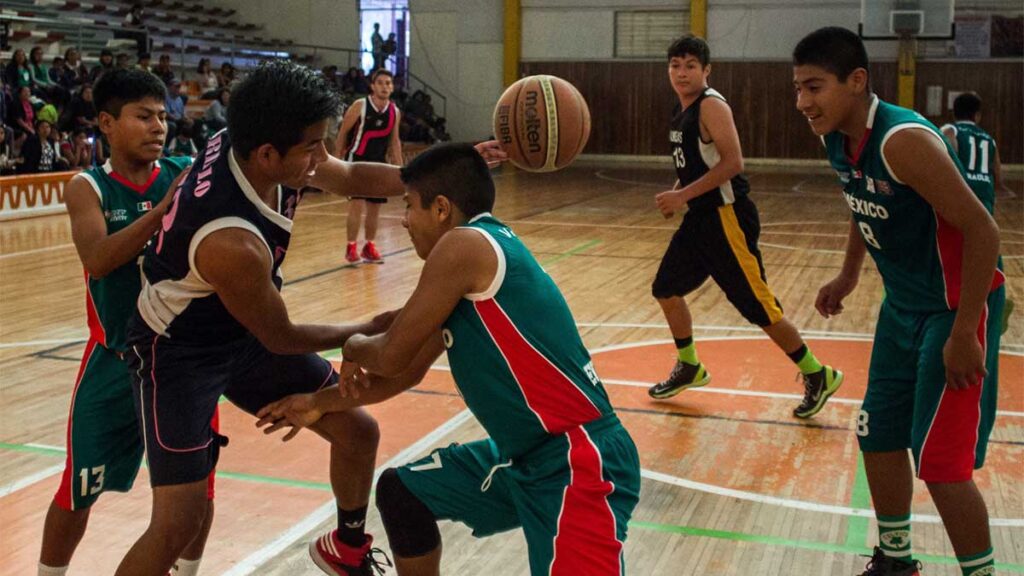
x=238, y=265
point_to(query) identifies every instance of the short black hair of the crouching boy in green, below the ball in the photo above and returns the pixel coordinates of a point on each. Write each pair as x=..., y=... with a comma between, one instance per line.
x=456, y=172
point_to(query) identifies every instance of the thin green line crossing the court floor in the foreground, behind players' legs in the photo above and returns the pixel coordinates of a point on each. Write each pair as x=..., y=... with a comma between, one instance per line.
x=666, y=528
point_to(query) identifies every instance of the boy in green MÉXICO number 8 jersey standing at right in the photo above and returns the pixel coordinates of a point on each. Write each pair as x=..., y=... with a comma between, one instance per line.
x=932, y=383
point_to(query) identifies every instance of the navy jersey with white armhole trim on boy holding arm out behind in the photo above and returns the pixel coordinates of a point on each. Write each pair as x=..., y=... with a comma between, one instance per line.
x=176, y=301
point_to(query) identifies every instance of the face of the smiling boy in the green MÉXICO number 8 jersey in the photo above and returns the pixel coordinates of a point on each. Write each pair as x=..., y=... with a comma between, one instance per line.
x=825, y=101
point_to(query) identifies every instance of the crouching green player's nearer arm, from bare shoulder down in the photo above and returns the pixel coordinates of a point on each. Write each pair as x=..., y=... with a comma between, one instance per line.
x=462, y=263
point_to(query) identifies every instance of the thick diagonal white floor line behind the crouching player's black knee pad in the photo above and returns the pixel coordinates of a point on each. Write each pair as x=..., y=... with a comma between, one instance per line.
x=254, y=561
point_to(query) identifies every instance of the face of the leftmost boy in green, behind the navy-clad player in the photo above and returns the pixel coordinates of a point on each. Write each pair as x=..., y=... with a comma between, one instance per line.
x=140, y=132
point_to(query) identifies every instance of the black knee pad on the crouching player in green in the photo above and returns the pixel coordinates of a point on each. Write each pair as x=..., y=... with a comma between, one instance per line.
x=411, y=527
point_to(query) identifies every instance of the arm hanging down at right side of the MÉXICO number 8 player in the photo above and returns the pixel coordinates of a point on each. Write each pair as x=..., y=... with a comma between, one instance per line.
x=920, y=159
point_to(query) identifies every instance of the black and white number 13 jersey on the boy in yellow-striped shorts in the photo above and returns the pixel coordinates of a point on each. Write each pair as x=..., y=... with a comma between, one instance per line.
x=694, y=157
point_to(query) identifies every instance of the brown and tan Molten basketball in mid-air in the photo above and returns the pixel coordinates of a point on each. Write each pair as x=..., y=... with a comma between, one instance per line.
x=542, y=124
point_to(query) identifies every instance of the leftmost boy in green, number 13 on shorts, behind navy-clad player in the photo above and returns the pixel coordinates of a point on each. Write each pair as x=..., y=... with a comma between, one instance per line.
x=114, y=210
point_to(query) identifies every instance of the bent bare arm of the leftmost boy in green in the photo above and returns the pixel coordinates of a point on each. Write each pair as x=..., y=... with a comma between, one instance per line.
x=102, y=254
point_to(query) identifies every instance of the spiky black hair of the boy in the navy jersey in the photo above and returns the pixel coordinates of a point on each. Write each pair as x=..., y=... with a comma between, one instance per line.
x=276, y=104
